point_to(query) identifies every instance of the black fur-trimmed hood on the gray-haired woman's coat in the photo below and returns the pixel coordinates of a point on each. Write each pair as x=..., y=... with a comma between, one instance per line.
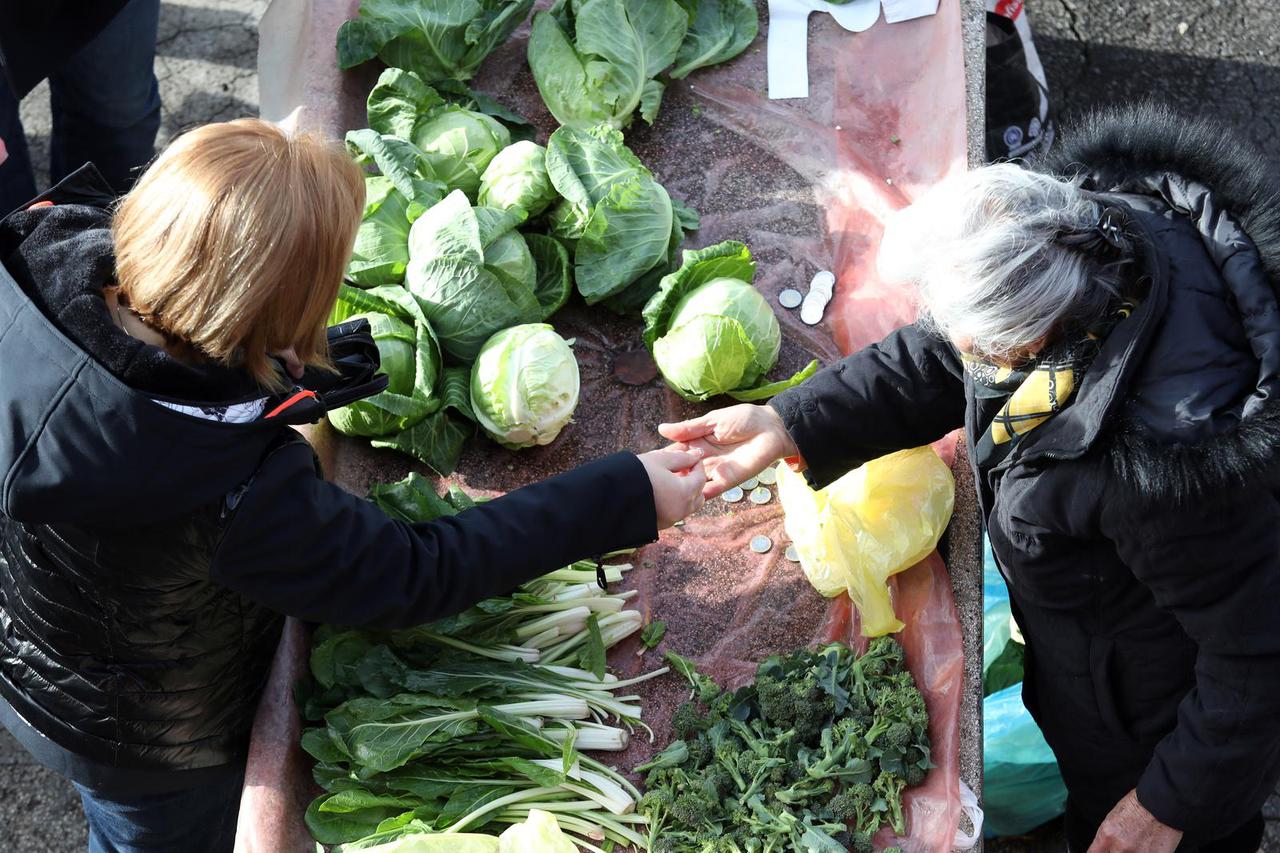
x=1203, y=412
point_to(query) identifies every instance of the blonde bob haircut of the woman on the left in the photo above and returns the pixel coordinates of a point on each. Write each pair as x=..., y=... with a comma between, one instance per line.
x=235, y=241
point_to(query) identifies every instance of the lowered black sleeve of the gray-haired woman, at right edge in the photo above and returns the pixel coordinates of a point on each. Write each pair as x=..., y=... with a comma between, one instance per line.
x=1217, y=568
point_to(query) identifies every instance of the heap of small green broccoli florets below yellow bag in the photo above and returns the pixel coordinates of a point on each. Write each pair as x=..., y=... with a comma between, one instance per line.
x=813, y=756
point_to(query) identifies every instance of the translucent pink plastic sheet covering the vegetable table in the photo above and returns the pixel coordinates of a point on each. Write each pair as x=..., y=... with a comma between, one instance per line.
x=807, y=185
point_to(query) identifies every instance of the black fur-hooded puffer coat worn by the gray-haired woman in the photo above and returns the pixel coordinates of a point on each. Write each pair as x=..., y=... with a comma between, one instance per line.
x=1140, y=528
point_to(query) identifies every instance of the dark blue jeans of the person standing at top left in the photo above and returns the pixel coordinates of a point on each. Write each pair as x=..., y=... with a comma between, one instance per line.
x=106, y=107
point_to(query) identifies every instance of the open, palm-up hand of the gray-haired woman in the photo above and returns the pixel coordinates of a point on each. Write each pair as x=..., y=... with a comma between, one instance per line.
x=738, y=444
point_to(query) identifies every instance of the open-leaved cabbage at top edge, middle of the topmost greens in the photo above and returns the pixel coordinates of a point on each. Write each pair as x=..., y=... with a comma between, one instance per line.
x=598, y=61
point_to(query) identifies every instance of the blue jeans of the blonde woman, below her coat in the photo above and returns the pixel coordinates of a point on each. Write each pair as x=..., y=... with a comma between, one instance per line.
x=199, y=820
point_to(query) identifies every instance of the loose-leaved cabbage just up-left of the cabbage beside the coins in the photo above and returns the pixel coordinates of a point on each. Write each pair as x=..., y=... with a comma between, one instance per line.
x=621, y=221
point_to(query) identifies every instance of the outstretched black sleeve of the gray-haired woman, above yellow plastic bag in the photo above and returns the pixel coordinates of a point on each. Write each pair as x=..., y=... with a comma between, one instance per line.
x=903, y=393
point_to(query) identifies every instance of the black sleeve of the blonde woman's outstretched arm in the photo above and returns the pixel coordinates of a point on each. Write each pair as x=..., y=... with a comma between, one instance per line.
x=309, y=549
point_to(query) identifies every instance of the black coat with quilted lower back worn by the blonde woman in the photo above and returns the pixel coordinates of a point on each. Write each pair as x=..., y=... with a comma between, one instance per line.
x=147, y=555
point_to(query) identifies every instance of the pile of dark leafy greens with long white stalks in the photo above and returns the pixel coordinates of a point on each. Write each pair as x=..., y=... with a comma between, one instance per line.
x=433, y=731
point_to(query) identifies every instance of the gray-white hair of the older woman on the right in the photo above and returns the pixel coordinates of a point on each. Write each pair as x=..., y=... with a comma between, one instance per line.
x=986, y=254
